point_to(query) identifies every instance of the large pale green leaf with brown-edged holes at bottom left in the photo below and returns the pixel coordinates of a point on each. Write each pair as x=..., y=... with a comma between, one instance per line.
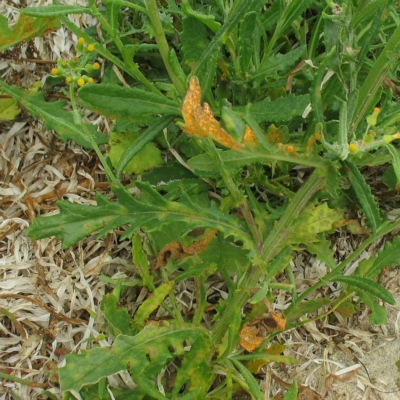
x=144, y=355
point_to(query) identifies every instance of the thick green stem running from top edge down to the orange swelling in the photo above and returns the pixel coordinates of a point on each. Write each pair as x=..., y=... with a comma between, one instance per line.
x=162, y=43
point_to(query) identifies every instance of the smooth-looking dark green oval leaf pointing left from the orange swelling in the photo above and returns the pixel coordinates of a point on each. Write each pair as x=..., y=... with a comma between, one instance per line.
x=122, y=102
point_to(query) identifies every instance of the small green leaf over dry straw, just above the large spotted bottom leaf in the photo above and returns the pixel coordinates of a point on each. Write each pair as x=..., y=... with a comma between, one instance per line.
x=118, y=318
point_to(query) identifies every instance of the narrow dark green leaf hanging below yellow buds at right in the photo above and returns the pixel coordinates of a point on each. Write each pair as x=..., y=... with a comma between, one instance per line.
x=364, y=195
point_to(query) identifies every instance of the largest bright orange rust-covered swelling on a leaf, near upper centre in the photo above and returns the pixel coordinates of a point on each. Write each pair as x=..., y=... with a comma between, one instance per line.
x=200, y=121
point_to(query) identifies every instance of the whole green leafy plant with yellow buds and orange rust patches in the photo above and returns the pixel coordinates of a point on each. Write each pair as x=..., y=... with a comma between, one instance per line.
x=272, y=111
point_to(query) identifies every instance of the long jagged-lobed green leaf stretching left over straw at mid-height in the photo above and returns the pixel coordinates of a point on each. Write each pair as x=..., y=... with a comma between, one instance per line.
x=151, y=212
